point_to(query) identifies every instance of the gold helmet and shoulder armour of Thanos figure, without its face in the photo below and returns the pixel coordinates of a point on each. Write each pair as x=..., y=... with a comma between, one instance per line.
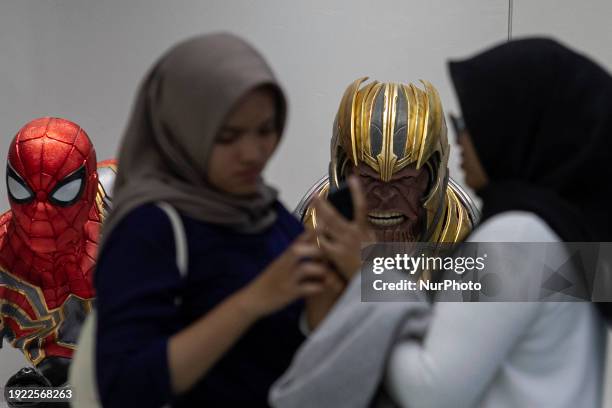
x=388, y=126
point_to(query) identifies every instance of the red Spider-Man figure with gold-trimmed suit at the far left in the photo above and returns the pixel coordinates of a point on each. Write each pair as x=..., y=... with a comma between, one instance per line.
x=58, y=195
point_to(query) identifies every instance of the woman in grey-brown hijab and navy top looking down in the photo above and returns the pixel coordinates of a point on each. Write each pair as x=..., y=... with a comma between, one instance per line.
x=189, y=197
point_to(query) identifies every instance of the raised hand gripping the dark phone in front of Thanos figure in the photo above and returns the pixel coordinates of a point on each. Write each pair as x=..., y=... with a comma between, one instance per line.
x=341, y=239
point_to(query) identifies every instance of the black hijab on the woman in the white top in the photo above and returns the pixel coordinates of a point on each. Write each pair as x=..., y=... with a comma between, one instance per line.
x=540, y=117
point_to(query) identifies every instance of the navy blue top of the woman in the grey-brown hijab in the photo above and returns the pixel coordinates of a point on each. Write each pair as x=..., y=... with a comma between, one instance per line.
x=137, y=282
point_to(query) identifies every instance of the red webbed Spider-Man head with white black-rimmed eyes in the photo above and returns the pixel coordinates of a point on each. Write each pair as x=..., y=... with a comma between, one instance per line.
x=51, y=182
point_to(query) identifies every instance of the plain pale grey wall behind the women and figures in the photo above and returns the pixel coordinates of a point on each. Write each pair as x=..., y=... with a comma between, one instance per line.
x=83, y=59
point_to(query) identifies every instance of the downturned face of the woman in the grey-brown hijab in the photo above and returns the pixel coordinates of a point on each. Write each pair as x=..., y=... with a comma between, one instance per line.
x=244, y=144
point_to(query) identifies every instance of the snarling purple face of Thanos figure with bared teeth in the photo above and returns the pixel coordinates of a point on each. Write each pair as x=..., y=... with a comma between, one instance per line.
x=395, y=207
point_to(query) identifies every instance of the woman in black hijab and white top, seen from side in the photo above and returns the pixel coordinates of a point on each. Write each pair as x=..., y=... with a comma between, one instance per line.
x=536, y=149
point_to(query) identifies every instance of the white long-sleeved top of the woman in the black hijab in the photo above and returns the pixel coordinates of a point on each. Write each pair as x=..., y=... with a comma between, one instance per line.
x=537, y=354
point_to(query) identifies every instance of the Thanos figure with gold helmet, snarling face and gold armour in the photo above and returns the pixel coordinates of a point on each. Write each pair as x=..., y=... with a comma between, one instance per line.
x=393, y=137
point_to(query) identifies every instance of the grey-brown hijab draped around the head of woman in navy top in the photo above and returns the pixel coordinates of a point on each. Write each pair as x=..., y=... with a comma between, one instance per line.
x=179, y=109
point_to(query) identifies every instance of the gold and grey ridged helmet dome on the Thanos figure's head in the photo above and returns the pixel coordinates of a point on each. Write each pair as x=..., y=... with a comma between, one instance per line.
x=388, y=126
